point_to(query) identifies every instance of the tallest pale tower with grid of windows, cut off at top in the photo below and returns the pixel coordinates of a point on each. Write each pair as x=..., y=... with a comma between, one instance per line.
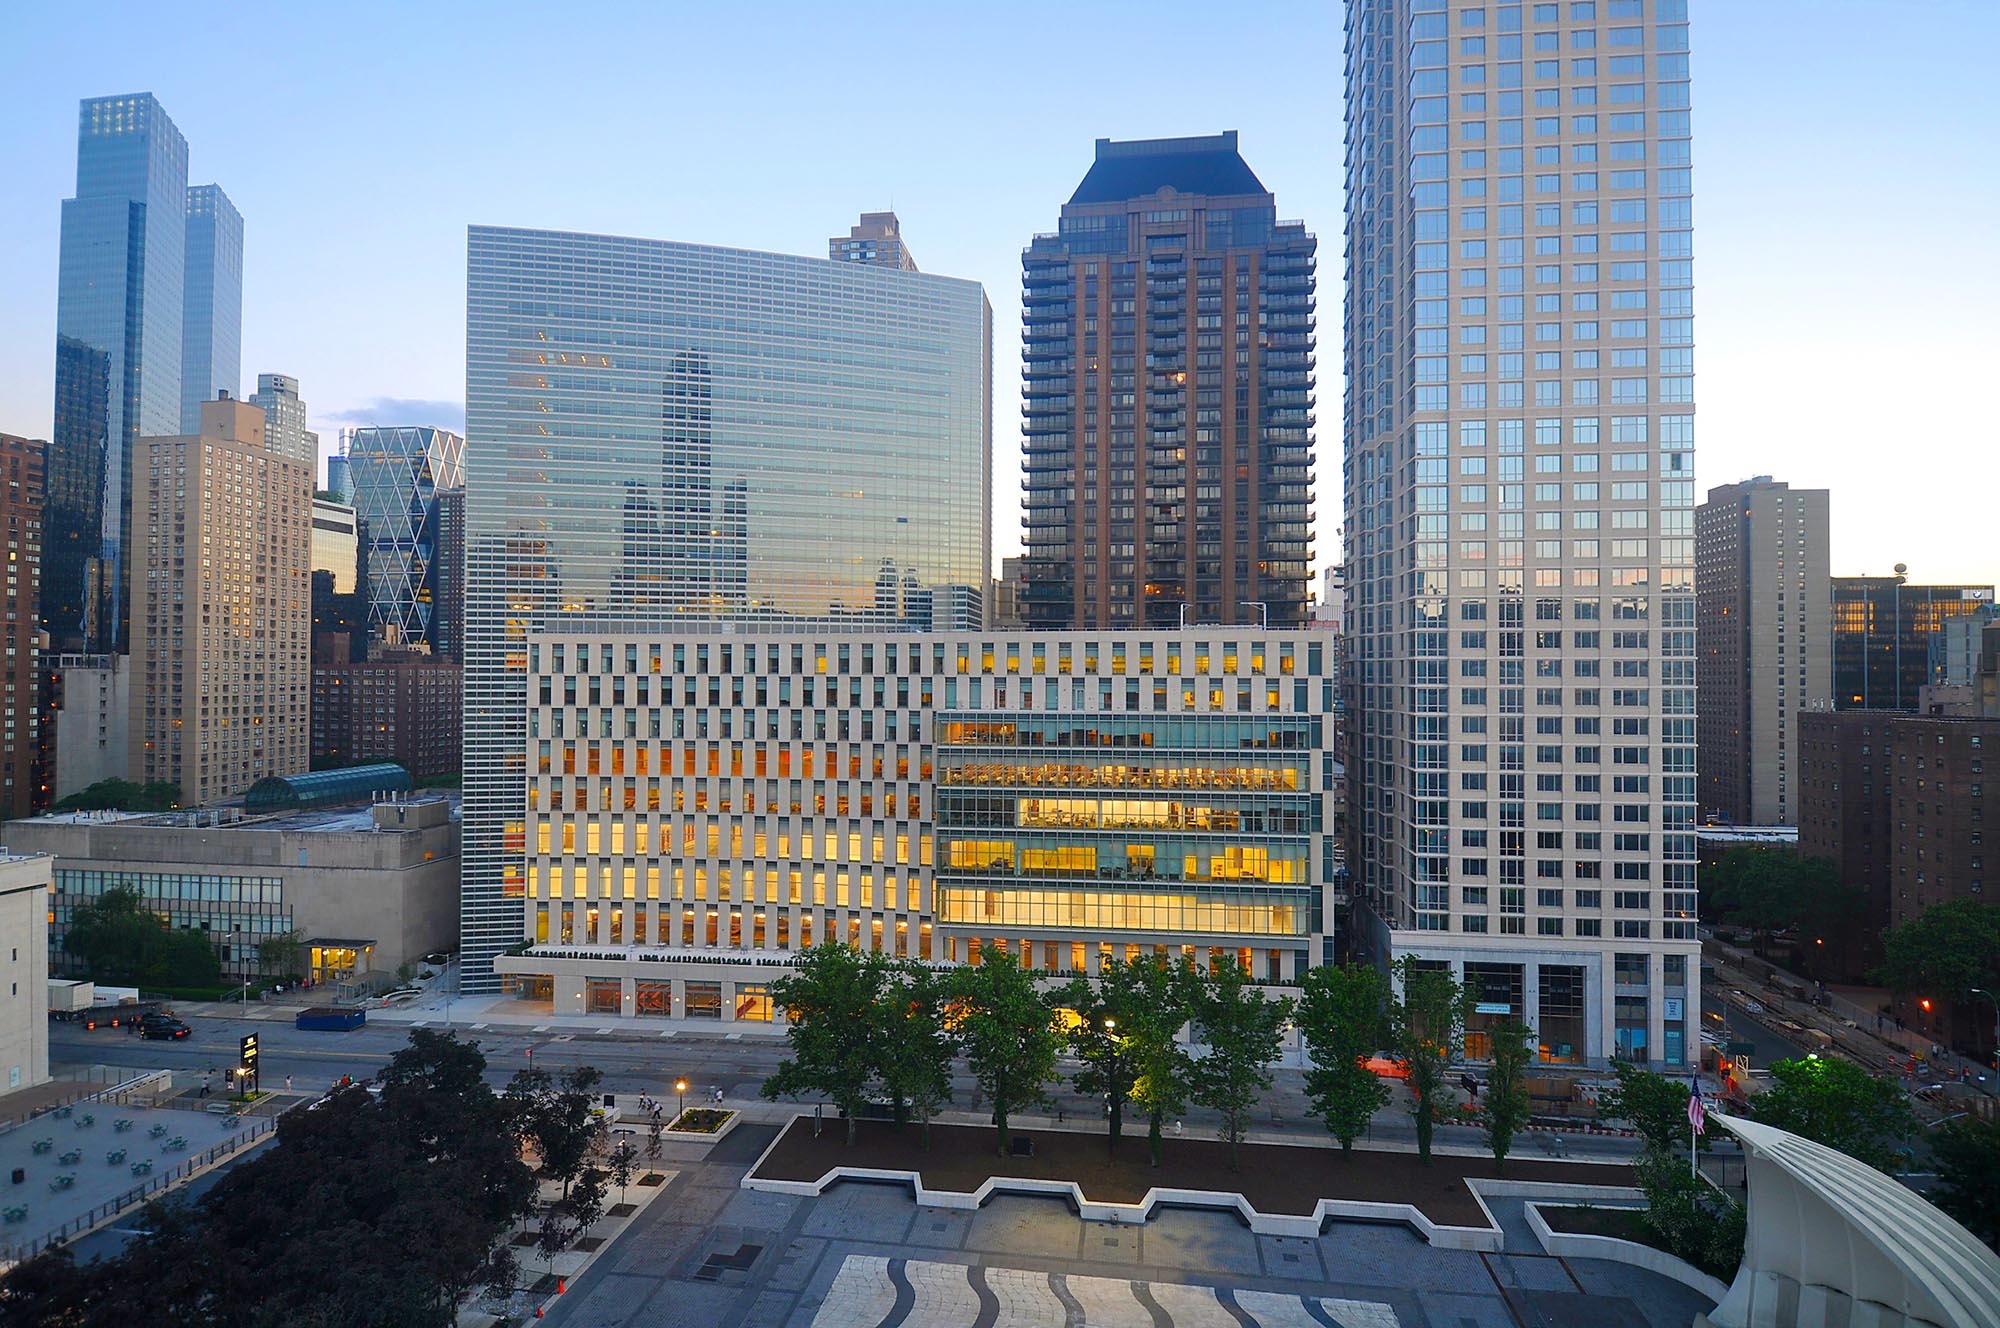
x=1521, y=511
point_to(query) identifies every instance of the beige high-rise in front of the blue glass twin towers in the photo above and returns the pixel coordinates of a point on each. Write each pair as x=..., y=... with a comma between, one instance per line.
x=221, y=609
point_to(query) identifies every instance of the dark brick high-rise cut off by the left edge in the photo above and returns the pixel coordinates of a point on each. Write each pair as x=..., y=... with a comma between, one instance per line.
x=23, y=775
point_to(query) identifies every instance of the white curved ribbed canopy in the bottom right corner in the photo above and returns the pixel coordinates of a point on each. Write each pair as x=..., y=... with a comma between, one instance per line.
x=1835, y=1241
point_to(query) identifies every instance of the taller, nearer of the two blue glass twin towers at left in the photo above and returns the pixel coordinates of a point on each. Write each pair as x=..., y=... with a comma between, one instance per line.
x=119, y=327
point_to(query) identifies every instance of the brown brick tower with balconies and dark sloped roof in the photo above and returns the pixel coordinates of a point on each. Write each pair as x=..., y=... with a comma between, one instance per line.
x=1169, y=397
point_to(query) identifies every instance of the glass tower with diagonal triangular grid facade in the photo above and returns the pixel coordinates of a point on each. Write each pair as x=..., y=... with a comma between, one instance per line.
x=397, y=475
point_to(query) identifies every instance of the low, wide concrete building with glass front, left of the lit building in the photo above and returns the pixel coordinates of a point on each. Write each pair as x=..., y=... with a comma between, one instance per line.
x=375, y=881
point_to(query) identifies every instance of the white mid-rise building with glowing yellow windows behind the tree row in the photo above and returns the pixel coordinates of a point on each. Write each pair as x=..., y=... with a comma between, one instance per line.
x=703, y=807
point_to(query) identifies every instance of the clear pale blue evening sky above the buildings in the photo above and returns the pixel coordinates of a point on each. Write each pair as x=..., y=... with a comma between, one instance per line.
x=1847, y=191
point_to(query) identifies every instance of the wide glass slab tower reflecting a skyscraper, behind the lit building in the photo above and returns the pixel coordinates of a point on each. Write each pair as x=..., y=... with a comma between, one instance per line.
x=685, y=437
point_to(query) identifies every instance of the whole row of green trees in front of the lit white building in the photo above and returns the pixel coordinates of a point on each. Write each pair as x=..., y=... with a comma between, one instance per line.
x=867, y=1027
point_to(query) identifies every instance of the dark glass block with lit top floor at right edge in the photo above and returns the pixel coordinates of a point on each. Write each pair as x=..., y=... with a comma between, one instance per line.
x=1885, y=631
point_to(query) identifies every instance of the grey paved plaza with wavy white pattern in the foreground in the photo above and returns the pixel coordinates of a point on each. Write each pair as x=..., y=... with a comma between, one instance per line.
x=713, y=1255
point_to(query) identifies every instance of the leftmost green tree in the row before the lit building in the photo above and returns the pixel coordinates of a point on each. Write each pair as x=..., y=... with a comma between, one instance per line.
x=833, y=1007
